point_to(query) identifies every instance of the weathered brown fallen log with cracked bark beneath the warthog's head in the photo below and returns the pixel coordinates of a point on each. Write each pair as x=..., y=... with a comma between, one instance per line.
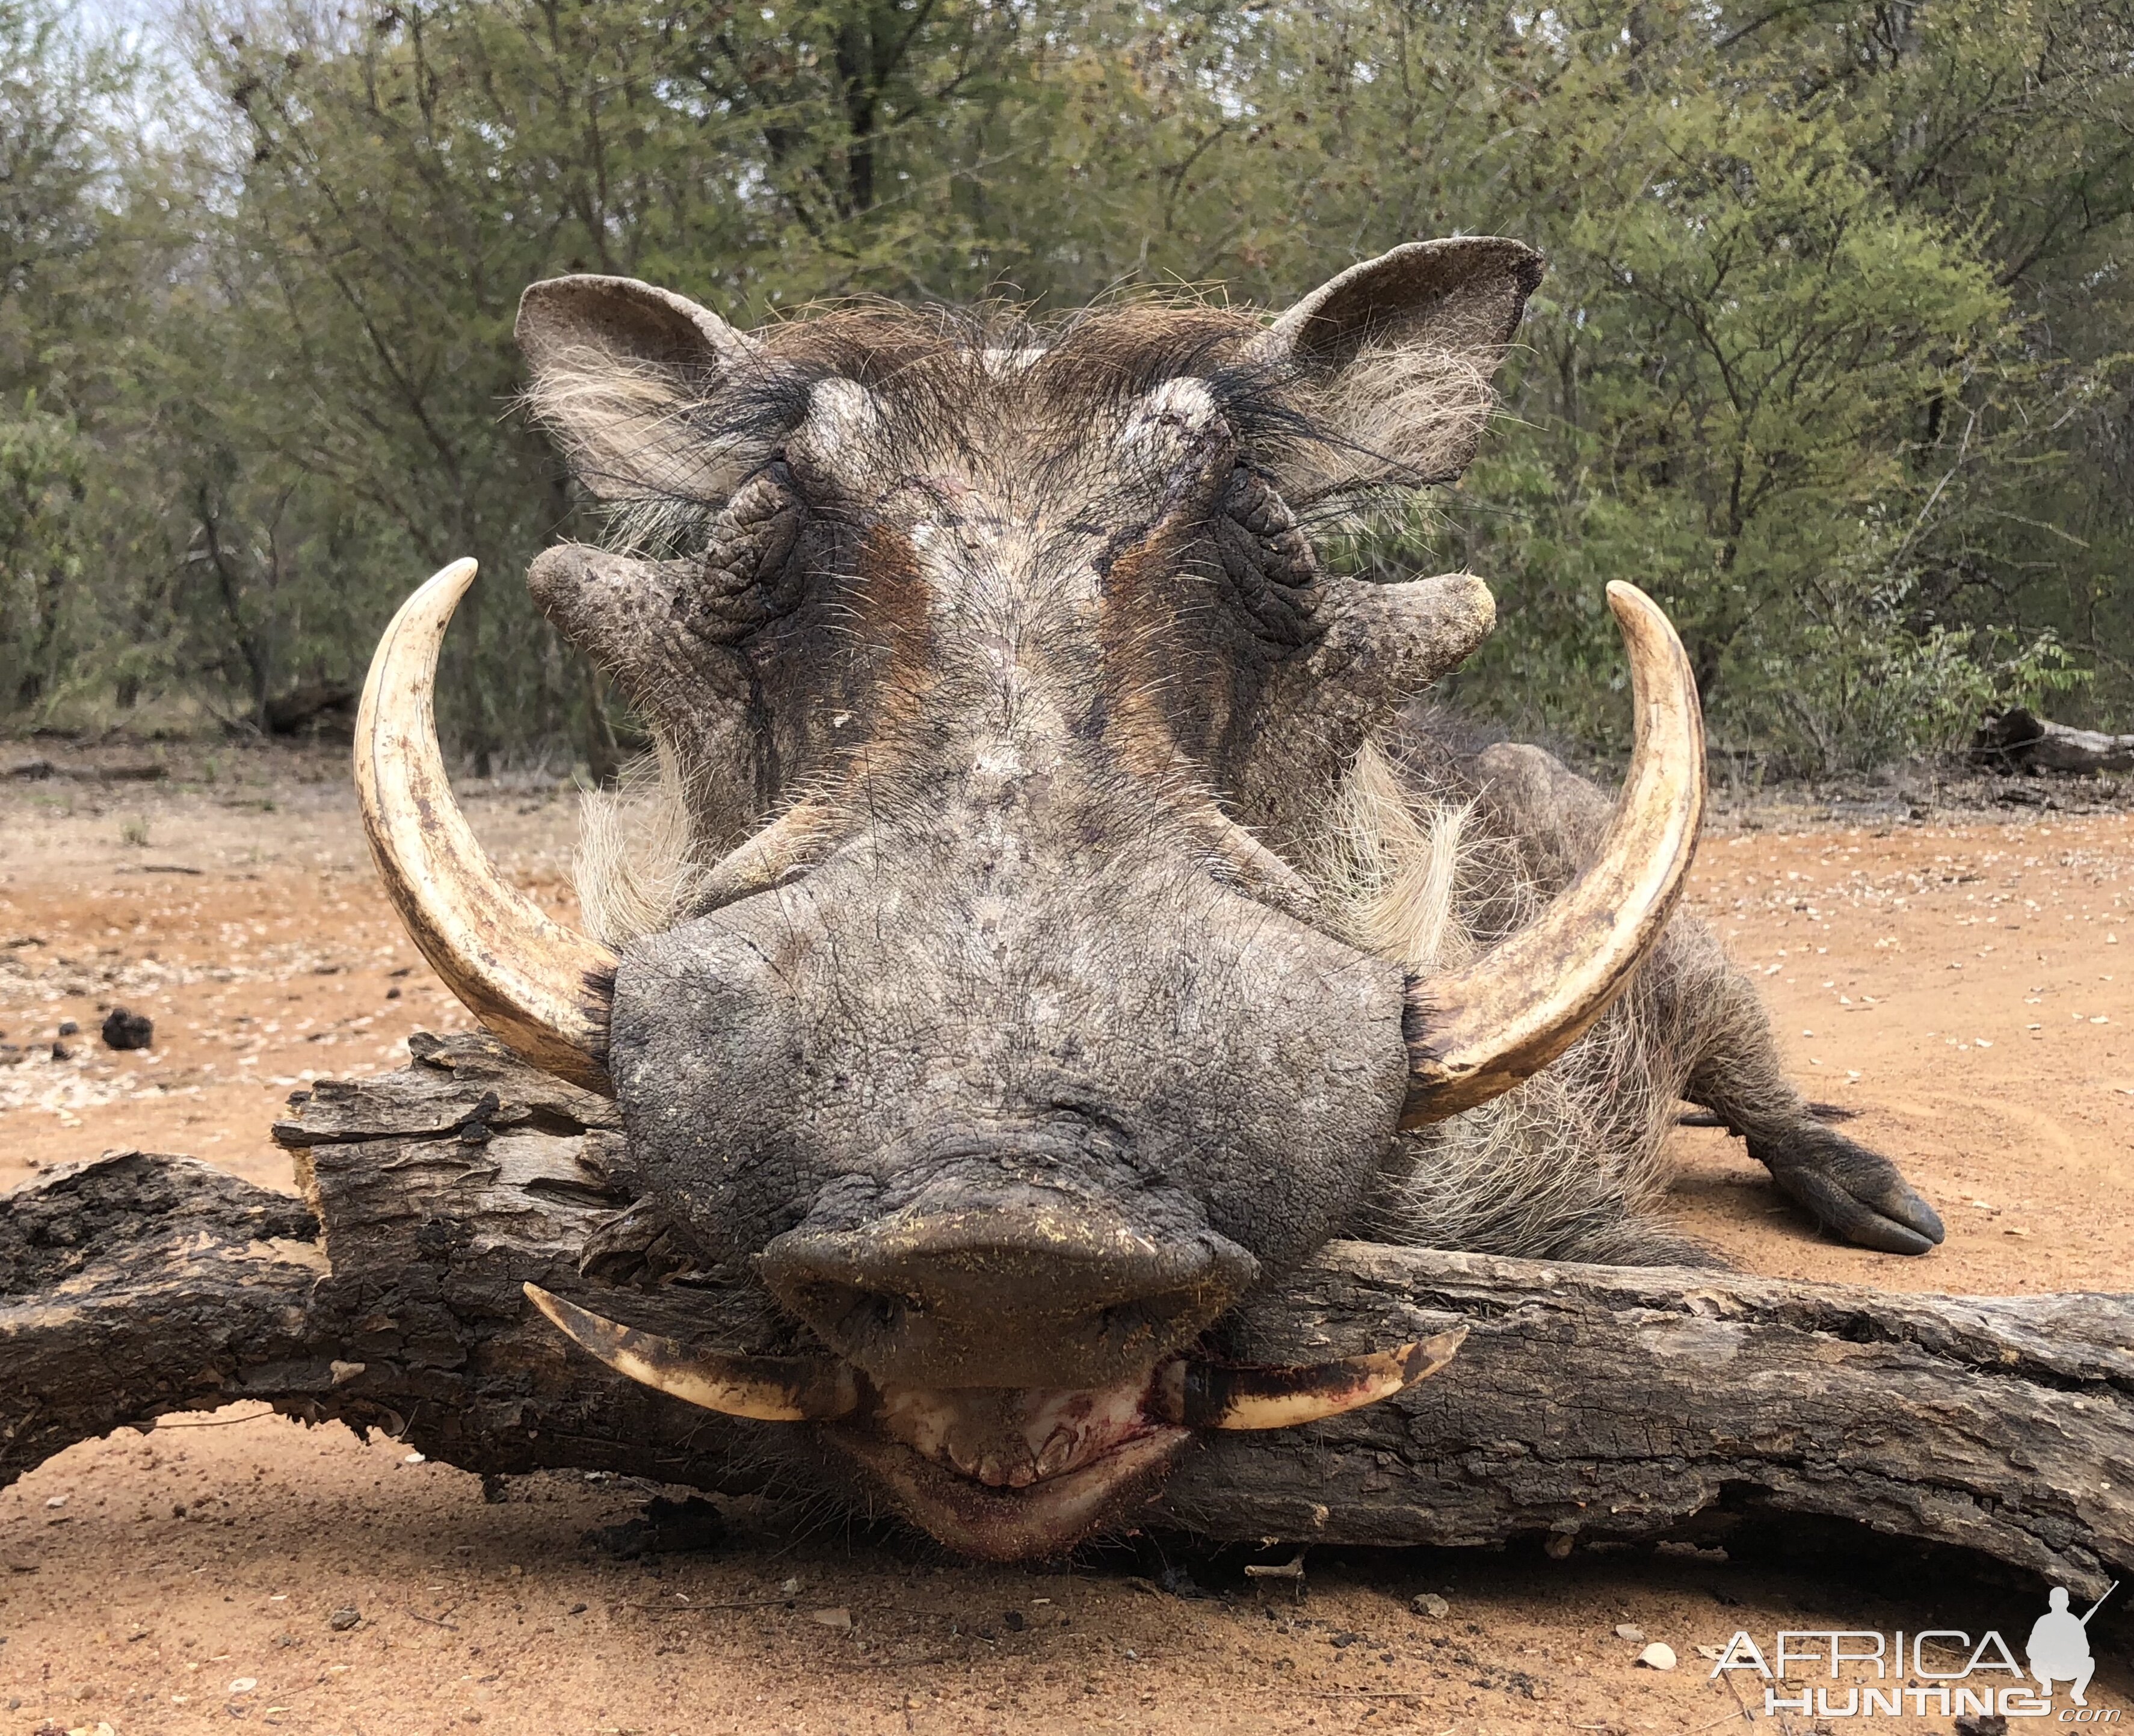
x=1589, y=1402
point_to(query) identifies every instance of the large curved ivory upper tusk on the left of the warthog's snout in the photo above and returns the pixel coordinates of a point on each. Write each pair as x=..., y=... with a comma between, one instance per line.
x=537, y=984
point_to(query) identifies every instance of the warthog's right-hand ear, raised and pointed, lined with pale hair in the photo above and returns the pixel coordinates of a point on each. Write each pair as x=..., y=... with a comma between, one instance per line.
x=1397, y=357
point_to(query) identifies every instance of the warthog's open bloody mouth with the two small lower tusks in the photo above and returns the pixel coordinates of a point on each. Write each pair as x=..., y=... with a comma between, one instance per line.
x=996, y=1473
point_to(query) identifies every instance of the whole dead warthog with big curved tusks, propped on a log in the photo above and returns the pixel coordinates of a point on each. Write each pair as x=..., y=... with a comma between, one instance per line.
x=1057, y=918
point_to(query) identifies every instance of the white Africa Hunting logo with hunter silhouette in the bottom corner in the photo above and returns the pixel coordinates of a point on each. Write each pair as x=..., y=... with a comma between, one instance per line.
x=1911, y=1682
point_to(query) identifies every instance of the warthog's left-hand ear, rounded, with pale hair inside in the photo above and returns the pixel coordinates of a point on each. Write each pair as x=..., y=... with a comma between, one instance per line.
x=643, y=389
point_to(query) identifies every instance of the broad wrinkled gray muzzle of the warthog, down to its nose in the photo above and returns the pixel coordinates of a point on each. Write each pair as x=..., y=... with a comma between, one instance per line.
x=974, y=1131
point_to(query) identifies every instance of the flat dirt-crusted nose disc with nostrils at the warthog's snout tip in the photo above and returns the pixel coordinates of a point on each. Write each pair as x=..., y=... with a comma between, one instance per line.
x=1006, y=1296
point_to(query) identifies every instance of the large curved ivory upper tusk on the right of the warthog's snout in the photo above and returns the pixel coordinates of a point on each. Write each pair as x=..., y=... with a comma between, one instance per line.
x=1499, y=1020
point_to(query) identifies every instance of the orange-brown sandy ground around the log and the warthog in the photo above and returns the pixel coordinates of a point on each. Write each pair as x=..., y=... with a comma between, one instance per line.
x=1962, y=982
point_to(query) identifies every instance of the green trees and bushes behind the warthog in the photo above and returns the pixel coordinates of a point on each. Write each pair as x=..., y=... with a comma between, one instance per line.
x=1834, y=353
